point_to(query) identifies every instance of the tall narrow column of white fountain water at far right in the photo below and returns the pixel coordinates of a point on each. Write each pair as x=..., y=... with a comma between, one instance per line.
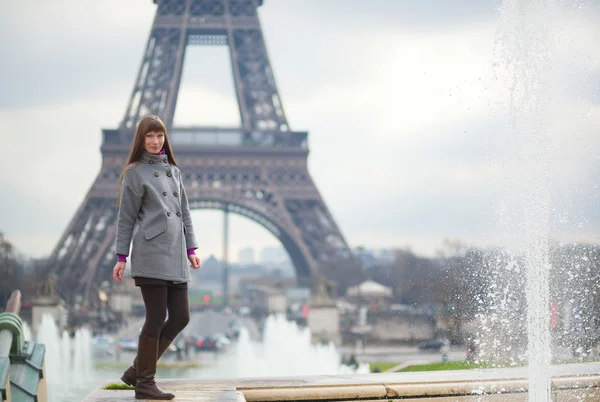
x=527, y=38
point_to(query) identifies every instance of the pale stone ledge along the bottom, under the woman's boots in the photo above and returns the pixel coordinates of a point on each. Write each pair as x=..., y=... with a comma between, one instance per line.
x=570, y=382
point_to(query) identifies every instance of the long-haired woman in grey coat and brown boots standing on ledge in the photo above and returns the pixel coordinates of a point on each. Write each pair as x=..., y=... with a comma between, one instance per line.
x=152, y=200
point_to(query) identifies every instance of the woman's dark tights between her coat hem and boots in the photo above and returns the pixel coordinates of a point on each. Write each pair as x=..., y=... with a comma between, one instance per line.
x=160, y=299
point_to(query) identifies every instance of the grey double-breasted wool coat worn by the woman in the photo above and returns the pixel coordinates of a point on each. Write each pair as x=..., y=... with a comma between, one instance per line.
x=154, y=211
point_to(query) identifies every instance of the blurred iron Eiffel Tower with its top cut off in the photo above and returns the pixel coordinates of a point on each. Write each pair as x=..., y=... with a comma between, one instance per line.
x=258, y=170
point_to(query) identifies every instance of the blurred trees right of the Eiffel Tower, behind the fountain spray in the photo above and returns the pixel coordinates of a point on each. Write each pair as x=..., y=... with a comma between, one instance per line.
x=466, y=284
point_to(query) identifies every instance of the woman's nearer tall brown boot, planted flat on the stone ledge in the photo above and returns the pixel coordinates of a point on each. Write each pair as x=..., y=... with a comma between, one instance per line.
x=145, y=386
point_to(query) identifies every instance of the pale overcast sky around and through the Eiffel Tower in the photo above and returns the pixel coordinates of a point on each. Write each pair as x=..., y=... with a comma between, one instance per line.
x=407, y=116
